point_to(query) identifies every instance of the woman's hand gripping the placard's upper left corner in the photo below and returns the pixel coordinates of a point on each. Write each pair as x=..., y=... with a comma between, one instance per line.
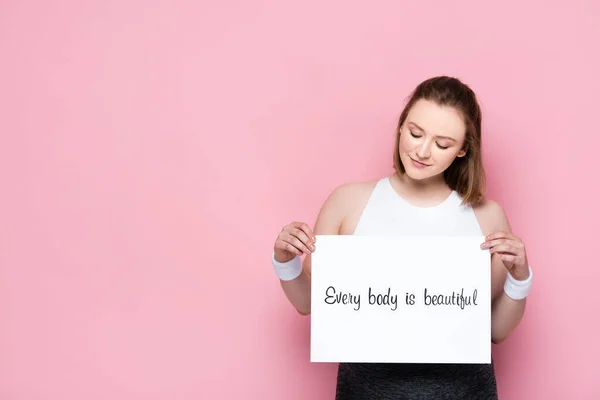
x=294, y=239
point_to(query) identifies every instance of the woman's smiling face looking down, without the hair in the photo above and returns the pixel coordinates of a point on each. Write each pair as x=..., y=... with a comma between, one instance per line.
x=430, y=139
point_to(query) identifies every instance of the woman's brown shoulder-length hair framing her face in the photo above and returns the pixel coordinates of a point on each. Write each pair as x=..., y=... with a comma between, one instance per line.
x=466, y=174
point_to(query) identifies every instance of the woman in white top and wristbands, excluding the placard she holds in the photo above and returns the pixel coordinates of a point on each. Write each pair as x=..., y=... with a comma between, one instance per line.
x=437, y=188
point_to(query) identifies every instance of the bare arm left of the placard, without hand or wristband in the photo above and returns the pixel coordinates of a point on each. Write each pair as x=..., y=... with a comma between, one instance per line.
x=328, y=222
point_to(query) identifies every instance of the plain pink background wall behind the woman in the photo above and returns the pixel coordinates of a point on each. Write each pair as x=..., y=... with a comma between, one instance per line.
x=151, y=152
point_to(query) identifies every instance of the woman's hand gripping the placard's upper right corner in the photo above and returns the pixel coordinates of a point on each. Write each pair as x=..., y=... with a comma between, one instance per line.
x=511, y=251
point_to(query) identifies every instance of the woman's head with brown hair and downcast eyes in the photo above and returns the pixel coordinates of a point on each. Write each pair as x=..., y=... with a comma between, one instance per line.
x=438, y=127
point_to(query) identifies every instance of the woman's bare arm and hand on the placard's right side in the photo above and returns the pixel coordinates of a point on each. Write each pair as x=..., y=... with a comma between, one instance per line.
x=508, y=256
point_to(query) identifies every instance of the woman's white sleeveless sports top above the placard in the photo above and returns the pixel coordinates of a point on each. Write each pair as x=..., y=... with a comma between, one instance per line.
x=387, y=213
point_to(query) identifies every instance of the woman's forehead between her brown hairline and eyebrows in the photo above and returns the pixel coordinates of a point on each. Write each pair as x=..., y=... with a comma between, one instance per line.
x=437, y=120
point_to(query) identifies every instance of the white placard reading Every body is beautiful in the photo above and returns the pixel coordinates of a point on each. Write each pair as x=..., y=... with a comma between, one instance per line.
x=400, y=299
